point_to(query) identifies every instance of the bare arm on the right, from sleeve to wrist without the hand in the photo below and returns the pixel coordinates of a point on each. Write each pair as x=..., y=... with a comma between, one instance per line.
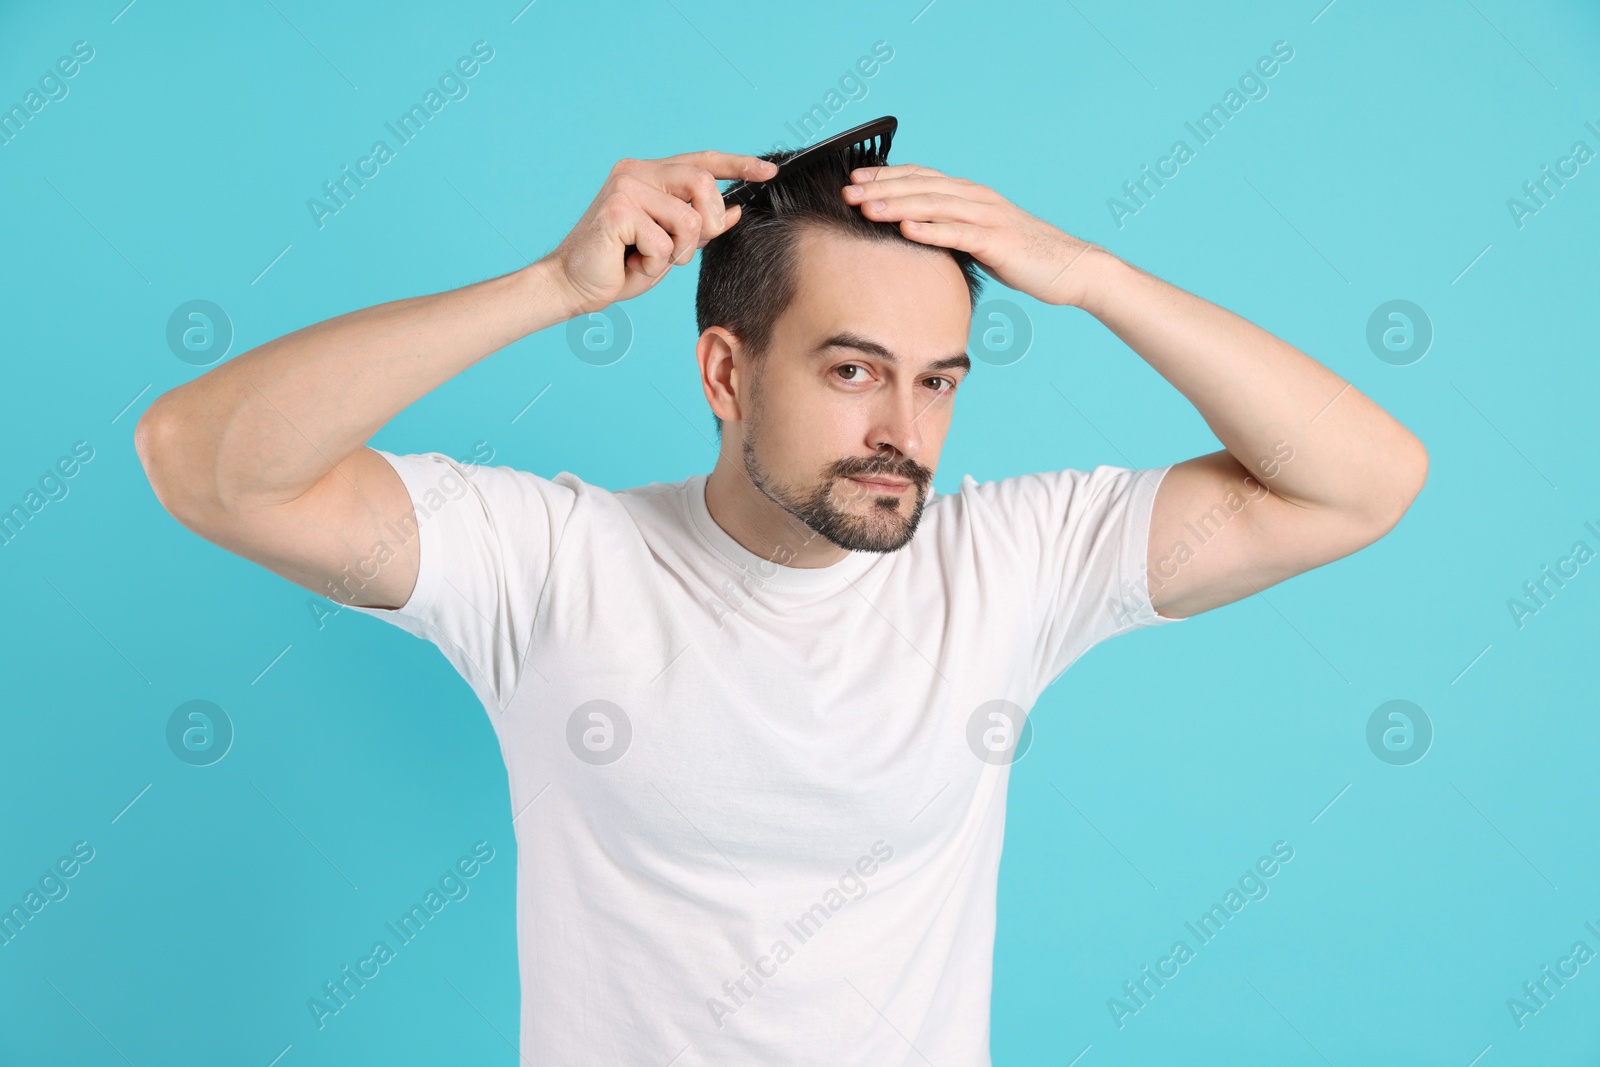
x=1313, y=470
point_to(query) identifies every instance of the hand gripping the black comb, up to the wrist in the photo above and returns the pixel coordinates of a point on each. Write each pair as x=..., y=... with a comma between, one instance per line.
x=668, y=209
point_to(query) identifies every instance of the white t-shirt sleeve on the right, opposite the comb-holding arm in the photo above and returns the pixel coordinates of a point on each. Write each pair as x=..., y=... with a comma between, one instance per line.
x=1081, y=541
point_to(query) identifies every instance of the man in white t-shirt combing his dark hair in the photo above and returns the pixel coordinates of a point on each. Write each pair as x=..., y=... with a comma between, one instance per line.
x=759, y=724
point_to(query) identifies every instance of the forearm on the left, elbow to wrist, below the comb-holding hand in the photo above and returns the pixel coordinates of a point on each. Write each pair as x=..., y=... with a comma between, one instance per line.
x=271, y=423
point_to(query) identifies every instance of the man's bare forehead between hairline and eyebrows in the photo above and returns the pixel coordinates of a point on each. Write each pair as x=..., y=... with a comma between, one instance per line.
x=892, y=289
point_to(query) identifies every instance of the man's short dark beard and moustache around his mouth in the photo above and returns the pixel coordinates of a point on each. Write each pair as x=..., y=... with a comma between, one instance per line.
x=882, y=529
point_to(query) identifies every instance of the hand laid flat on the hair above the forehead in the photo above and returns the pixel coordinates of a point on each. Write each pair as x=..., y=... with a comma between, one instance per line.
x=1020, y=250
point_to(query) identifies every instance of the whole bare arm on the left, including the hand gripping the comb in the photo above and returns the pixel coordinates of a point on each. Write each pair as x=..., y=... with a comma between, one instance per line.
x=266, y=455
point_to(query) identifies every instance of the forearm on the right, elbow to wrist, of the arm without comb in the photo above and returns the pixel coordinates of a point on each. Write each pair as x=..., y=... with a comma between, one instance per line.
x=1263, y=398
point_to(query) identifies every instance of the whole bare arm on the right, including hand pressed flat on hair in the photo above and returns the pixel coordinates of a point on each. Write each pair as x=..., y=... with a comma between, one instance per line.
x=1313, y=470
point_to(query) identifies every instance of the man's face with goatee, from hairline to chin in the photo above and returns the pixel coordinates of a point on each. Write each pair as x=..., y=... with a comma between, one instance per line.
x=849, y=409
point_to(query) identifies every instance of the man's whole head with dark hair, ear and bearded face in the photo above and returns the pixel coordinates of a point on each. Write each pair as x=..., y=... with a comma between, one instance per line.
x=833, y=346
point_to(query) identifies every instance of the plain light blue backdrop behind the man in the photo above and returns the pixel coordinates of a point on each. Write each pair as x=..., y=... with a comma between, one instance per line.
x=1377, y=169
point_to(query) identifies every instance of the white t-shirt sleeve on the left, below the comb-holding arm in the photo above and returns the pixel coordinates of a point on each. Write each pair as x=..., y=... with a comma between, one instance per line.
x=489, y=538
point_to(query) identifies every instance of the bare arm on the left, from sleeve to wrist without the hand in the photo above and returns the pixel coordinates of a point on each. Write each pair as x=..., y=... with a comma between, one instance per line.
x=266, y=455
